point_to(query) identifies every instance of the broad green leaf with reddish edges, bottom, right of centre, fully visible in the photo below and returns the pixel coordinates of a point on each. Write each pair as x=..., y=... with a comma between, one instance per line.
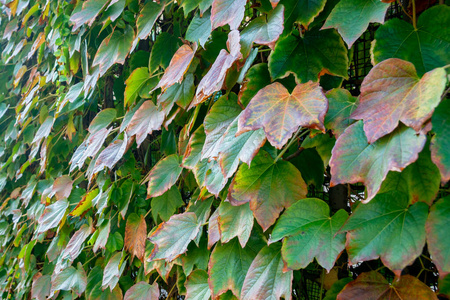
x=308, y=223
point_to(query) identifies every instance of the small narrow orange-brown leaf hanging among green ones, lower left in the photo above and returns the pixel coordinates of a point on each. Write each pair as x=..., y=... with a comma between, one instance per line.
x=135, y=235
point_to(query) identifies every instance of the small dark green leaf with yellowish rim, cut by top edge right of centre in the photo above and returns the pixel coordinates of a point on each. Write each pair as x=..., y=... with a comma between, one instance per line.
x=303, y=11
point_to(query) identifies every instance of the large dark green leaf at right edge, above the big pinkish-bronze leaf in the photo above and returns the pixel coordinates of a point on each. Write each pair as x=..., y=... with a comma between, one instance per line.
x=427, y=47
